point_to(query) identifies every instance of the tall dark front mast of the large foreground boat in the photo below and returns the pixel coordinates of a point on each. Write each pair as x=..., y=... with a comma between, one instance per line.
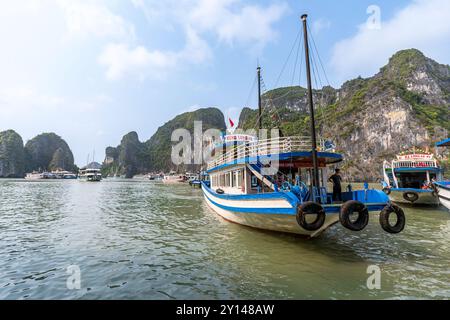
x=316, y=180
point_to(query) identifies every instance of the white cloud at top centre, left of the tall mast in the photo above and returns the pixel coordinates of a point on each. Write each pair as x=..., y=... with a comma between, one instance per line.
x=229, y=21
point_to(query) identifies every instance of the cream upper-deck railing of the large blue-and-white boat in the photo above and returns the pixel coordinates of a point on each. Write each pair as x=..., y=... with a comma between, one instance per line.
x=272, y=146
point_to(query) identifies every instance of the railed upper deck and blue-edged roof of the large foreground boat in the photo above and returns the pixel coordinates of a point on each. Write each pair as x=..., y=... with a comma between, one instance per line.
x=291, y=152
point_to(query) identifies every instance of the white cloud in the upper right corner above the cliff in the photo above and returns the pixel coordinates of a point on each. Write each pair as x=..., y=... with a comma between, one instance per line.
x=424, y=24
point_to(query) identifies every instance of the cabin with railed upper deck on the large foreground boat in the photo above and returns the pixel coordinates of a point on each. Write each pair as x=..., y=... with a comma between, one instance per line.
x=262, y=166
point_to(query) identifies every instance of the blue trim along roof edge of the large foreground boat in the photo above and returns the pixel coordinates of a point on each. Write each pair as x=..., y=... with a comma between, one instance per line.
x=281, y=157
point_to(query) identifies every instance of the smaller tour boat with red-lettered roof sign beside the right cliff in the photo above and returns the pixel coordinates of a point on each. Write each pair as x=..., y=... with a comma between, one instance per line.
x=409, y=178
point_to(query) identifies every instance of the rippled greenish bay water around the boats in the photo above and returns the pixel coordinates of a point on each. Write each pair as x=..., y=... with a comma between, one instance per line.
x=141, y=240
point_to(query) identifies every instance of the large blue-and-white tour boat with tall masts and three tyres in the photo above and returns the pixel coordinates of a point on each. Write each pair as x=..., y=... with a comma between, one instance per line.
x=279, y=184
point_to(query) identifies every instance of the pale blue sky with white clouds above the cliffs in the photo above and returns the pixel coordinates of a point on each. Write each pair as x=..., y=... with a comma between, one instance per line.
x=93, y=70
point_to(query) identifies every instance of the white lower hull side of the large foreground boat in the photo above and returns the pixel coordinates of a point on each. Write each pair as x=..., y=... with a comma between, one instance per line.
x=279, y=222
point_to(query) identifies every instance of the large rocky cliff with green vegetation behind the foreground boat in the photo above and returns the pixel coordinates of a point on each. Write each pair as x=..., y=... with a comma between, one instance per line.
x=406, y=104
